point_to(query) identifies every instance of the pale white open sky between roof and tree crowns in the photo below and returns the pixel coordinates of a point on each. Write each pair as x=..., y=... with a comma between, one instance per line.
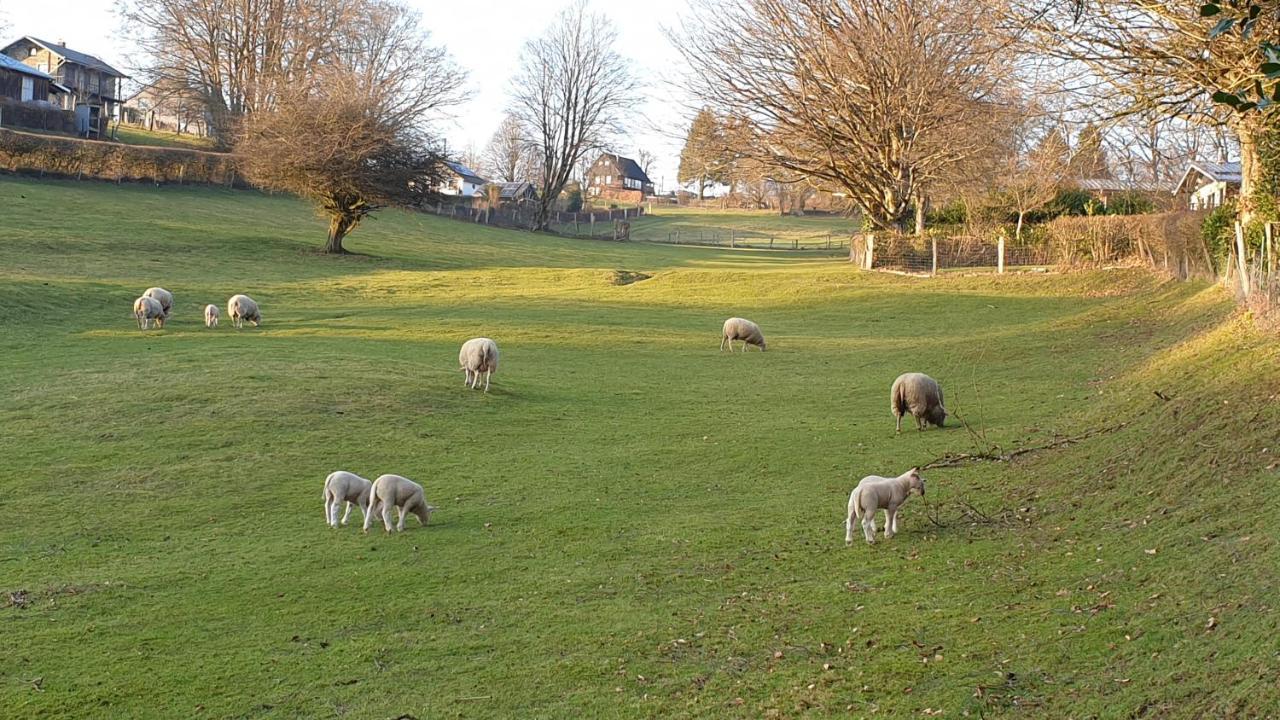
x=486, y=39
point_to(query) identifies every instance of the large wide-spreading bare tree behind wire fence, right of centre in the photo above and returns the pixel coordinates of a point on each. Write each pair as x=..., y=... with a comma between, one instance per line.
x=875, y=98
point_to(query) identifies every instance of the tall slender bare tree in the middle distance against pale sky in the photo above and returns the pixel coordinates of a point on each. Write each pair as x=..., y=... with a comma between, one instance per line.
x=570, y=95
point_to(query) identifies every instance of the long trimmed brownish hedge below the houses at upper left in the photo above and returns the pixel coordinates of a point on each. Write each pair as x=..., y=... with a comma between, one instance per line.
x=70, y=157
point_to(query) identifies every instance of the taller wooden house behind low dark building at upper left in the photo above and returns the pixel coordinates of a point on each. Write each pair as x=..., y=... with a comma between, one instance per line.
x=93, y=86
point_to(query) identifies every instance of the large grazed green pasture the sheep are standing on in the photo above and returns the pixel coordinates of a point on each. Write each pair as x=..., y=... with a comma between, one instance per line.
x=632, y=525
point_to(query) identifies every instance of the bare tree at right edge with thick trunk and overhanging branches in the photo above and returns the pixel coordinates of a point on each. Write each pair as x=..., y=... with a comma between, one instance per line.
x=1136, y=57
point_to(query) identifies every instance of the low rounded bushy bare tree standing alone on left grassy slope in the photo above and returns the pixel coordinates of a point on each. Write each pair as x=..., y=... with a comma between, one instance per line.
x=350, y=136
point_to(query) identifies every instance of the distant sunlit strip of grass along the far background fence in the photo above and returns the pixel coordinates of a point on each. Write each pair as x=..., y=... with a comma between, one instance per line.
x=698, y=226
